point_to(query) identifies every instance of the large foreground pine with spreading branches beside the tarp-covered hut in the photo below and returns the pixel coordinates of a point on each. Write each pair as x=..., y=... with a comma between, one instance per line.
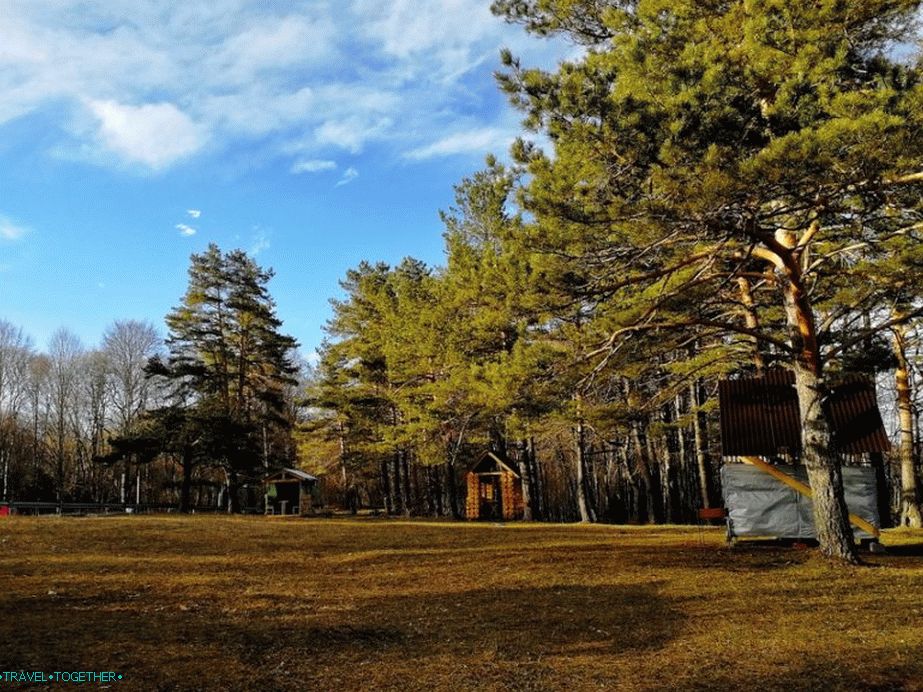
x=695, y=137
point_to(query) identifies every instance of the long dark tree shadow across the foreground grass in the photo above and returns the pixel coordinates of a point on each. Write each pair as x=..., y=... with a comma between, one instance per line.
x=163, y=646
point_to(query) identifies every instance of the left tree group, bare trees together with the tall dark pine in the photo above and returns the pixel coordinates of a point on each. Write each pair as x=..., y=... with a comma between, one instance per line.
x=187, y=421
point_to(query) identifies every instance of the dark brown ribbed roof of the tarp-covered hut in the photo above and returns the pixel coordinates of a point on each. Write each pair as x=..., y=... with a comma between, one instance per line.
x=760, y=416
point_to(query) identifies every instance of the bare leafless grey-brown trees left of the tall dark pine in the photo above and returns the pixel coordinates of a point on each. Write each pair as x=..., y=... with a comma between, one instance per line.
x=57, y=408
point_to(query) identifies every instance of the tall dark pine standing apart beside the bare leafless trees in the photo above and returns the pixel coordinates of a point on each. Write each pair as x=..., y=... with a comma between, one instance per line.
x=230, y=361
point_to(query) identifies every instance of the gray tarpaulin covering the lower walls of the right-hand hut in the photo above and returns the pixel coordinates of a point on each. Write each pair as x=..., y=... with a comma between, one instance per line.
x=760, y=505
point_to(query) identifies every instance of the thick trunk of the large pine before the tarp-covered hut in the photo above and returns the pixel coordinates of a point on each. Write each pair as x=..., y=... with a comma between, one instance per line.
x=831, y=518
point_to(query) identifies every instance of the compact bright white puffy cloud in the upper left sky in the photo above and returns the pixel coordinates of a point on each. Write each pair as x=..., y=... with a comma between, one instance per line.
x=155, y=135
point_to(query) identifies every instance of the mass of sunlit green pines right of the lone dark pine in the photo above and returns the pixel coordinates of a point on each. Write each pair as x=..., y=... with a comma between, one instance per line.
x=726, y=187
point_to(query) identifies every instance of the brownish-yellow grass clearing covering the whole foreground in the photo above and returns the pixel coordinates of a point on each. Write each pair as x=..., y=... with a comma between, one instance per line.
x=324, y=604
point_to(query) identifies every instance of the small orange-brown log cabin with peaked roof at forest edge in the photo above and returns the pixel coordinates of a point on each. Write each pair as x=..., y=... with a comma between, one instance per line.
x=494, y=490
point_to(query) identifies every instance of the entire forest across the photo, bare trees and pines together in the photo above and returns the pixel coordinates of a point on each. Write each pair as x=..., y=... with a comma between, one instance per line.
x=711, y=190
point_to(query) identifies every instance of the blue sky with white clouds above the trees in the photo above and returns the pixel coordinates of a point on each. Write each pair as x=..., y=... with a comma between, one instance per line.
x=311, y=134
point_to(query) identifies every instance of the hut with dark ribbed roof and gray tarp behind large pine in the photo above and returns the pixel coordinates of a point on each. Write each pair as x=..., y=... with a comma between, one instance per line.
x=768, y=494
